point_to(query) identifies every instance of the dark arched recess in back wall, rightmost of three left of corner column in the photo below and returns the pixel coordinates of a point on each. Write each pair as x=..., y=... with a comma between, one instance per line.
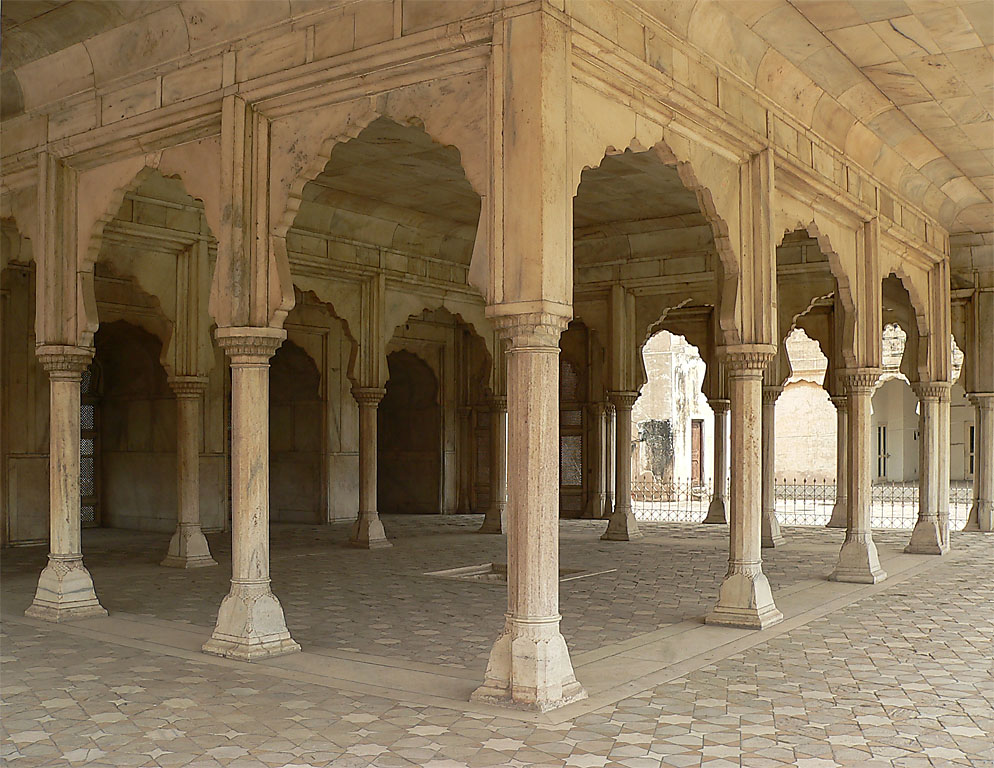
x=409, y=445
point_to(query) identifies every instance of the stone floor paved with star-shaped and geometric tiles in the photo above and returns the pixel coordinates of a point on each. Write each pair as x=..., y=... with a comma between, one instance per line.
x=897, y=674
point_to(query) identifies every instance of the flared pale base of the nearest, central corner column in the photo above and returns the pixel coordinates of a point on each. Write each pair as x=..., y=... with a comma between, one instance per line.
x=530, y=668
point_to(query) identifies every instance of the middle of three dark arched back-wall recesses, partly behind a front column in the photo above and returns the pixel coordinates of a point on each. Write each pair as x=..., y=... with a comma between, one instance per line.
x=296, y=437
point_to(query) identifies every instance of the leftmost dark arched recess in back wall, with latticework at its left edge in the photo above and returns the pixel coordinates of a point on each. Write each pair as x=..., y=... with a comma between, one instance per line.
x=135, y=428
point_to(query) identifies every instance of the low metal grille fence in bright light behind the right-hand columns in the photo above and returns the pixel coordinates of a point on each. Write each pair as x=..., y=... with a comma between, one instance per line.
x=798, y=502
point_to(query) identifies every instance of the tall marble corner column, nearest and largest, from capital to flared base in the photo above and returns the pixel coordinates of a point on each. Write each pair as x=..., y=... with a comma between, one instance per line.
x=529, y=664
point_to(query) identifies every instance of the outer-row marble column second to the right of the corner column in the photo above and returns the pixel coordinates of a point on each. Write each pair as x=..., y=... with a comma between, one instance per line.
x=858, y=561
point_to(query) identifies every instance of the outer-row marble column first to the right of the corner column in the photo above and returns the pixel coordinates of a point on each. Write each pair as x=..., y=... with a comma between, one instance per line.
x=745, y=598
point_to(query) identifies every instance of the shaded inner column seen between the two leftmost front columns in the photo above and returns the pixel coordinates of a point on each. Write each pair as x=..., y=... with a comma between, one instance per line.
x=188, y=547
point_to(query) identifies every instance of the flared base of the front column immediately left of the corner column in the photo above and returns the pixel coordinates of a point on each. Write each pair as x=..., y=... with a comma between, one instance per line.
x=250, y=625
